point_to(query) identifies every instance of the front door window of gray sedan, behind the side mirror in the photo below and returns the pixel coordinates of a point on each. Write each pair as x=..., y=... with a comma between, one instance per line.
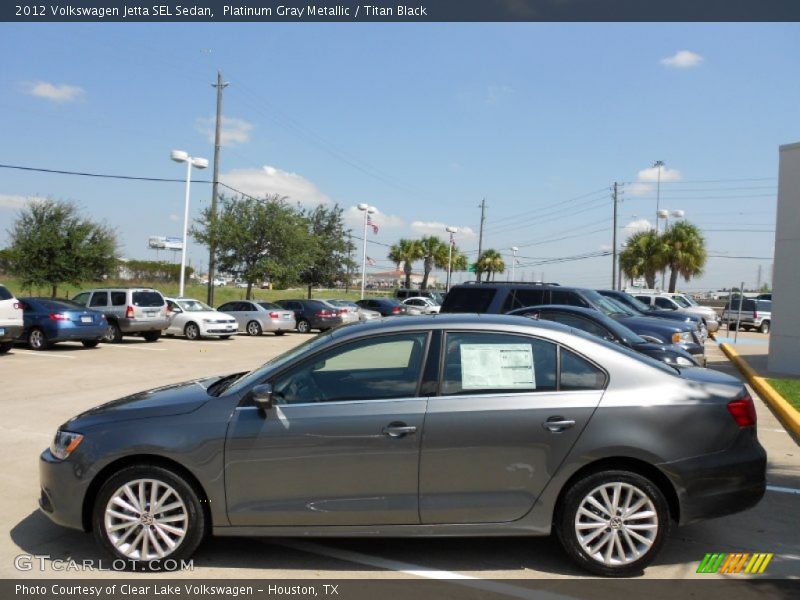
x=373, y=369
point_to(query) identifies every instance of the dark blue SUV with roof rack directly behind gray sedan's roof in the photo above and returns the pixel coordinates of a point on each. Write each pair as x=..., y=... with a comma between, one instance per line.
x=499, y=297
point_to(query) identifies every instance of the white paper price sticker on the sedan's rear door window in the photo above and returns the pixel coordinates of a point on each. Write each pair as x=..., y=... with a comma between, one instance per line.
x=497, y=366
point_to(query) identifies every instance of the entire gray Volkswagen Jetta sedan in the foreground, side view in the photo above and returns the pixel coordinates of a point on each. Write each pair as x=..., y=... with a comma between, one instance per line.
x=469, y=425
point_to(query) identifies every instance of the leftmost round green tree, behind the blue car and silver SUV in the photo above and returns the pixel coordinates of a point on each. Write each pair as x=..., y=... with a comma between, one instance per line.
x=51, y=244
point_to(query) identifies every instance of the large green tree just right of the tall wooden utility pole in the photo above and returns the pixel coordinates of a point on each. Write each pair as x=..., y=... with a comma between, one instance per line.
x=257, y=239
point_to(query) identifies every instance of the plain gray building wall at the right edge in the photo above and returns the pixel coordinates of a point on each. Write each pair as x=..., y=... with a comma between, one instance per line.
x=784, y=348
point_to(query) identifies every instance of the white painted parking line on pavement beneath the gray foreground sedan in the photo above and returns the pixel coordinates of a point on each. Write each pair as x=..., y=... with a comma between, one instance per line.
x=420, y=571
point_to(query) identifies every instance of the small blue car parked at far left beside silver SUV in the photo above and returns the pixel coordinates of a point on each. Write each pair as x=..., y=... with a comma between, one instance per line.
x=48, y=320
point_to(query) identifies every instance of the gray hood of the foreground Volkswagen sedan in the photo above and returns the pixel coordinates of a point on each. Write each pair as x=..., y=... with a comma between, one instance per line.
x=176, y=399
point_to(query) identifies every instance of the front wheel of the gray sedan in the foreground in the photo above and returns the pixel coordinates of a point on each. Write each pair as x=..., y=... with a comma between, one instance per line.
x=185, y=524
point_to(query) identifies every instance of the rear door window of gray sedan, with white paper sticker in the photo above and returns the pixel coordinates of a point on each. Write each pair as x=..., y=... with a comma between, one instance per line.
x=479, y=363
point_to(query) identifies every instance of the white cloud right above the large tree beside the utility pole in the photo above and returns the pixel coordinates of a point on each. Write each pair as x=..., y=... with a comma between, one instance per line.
x=271, y=180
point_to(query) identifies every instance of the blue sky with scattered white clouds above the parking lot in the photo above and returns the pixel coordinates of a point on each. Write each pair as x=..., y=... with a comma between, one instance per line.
x=421, y=121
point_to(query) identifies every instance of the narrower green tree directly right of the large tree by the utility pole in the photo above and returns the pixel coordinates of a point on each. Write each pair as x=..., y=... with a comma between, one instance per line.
x=329, y=253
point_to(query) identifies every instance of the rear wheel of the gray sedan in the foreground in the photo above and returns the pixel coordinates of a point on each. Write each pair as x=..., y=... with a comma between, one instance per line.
x=632, y=554
